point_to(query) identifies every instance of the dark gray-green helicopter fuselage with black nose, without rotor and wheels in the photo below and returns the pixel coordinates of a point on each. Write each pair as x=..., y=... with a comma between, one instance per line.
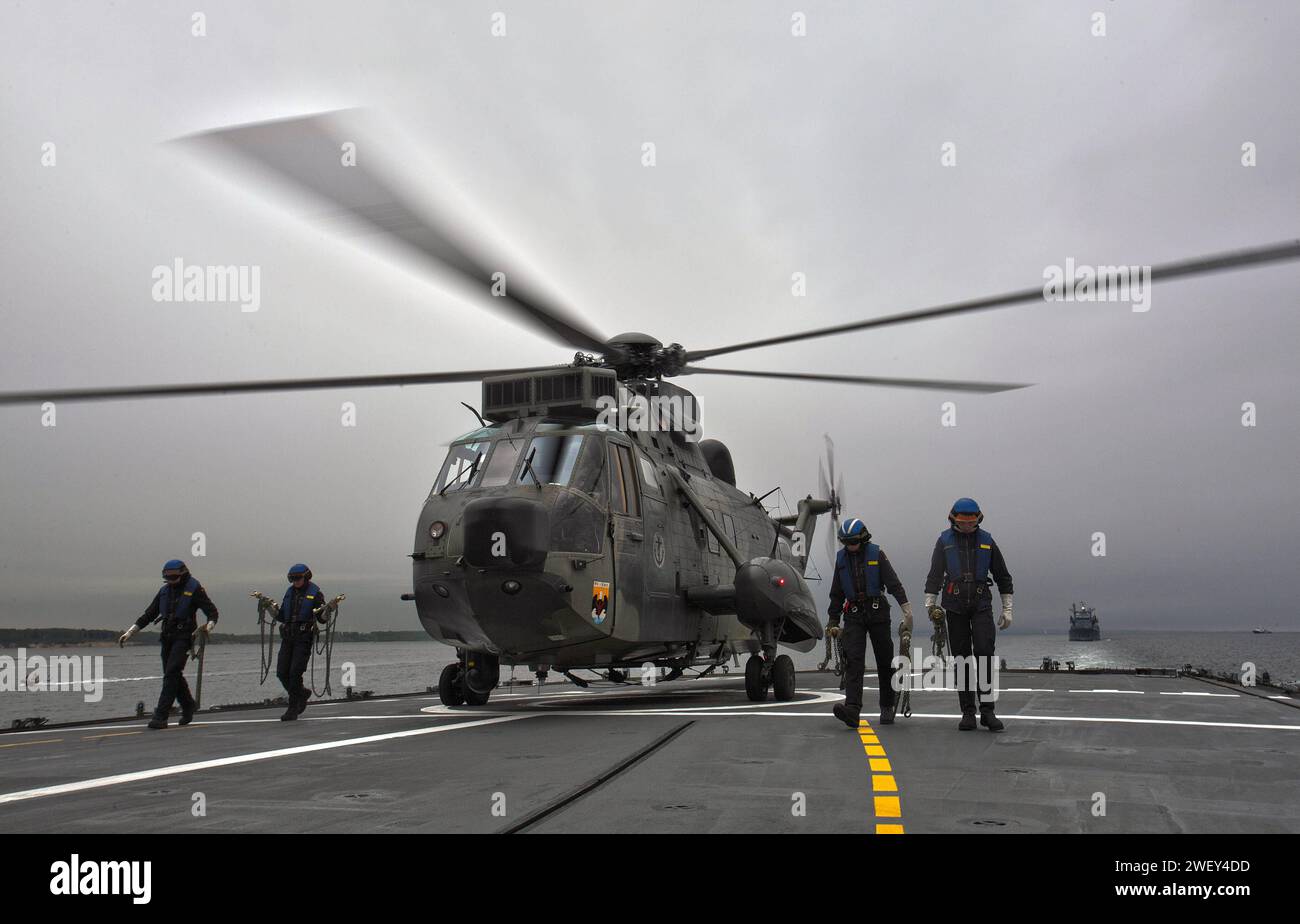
x=573, y=545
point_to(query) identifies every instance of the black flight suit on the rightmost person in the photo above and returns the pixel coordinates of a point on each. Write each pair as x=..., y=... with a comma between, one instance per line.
x=970, y=610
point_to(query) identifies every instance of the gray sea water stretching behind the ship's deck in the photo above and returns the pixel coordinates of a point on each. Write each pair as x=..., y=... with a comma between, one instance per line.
x=132, y=676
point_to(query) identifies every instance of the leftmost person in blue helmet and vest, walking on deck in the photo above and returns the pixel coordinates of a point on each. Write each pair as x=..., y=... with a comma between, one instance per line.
x=175, y=606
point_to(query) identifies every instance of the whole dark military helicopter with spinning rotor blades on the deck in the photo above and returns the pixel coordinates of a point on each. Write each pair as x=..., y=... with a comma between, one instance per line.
x=583, y=526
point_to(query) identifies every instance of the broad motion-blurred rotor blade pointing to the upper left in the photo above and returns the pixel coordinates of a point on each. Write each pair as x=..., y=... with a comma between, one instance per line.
x=305, y=153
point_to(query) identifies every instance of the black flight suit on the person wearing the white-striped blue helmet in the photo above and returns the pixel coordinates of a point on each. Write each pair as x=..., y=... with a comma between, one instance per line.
x=866, y=617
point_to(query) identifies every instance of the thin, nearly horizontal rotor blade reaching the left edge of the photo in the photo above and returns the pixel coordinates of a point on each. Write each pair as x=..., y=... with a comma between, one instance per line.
x=271, y=385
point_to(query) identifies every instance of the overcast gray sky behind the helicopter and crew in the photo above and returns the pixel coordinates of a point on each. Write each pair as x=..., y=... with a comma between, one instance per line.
x=775, y=154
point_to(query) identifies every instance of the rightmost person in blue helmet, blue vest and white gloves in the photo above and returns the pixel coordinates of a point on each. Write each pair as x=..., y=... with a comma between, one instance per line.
x=964, y=561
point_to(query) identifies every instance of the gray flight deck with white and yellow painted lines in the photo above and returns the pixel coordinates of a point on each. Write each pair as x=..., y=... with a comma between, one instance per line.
x=1168, y=754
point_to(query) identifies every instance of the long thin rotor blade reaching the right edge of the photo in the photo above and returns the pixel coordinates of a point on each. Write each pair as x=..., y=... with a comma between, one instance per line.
x=1215, y=263
